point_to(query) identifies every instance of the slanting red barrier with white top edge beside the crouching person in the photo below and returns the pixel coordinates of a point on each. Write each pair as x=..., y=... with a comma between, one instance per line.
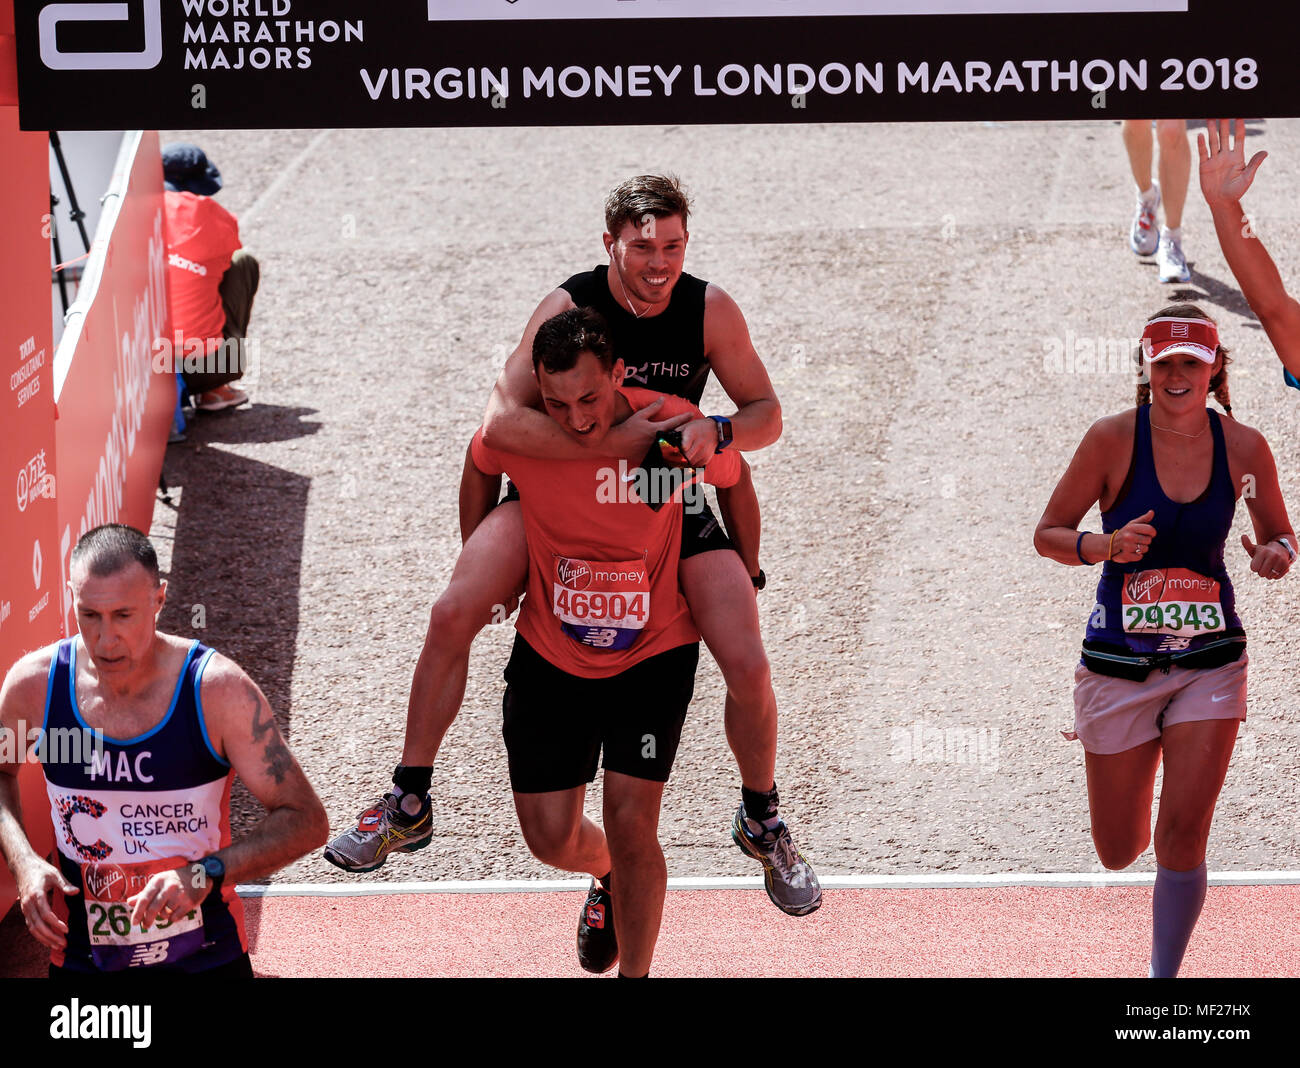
x=114, y=410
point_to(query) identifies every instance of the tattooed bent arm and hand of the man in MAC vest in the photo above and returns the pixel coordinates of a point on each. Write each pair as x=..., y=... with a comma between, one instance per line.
x=242, y=730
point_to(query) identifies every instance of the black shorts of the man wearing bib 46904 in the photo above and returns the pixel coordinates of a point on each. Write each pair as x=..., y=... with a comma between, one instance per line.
x=556, y=723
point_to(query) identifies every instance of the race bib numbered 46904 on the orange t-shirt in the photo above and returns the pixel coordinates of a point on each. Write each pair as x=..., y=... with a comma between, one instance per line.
x=601, y=604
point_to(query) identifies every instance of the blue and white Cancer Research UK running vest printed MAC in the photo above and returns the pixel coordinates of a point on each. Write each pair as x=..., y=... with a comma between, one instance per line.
x=128, y=809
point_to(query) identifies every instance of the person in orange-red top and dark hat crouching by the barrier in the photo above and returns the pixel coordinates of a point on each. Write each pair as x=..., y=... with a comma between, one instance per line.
x=211, y=279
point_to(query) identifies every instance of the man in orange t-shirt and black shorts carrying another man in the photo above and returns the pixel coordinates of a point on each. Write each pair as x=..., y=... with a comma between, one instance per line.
x=605, y=653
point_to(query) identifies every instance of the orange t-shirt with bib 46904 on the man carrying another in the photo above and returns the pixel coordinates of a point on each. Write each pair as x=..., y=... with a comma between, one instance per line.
x=603, y=565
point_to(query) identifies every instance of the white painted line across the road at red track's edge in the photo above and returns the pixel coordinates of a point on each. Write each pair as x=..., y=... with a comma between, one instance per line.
x=756, y=883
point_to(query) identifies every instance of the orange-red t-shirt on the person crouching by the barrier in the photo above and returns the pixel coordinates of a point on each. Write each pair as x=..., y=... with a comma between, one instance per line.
x=201, y=240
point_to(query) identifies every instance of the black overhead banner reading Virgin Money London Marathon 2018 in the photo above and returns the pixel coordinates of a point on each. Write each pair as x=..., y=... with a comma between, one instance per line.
x=222, y=64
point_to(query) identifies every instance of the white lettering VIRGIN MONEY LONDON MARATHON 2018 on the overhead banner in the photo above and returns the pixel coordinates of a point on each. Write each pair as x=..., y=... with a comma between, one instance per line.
x=794, y=80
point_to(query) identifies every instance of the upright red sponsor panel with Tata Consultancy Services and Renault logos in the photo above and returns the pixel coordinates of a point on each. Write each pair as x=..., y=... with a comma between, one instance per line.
x=29, y=566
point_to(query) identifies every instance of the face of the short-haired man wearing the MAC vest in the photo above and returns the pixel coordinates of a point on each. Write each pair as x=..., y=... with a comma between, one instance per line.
x=116, y=615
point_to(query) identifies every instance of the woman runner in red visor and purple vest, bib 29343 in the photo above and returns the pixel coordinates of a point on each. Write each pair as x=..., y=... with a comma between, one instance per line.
x=1164, y=666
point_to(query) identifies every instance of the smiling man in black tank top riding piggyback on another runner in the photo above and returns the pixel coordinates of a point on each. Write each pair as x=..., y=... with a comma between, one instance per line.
x=670, y=329
